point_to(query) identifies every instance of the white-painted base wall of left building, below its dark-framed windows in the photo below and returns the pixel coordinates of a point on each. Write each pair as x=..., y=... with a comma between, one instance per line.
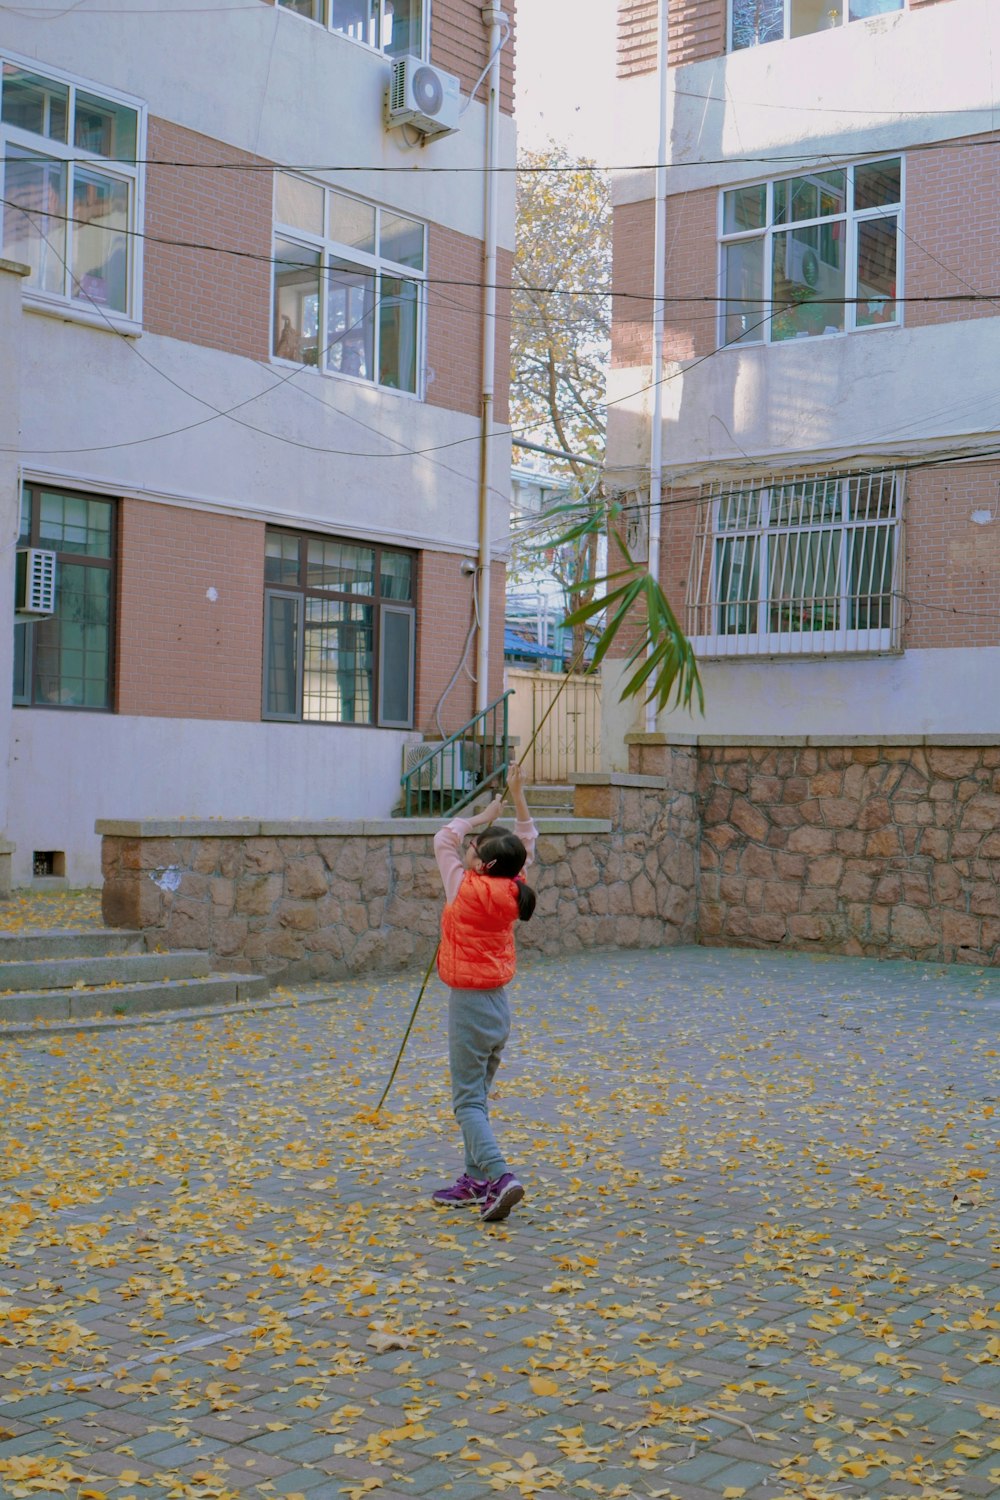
x=68, y=770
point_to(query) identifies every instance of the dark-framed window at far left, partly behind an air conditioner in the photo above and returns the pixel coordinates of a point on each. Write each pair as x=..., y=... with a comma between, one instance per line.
x=65, y=659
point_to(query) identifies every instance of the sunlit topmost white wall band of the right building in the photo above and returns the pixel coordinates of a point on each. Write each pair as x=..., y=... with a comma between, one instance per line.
x=872, y=86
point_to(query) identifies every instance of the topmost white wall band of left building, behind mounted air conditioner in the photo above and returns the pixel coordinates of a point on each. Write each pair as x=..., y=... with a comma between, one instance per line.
x=241, y=73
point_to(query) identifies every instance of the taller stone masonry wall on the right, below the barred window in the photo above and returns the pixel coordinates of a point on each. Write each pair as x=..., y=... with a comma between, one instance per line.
x=891, y=851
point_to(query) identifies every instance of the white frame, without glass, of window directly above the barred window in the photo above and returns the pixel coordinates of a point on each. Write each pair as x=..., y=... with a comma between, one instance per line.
x=768, y=233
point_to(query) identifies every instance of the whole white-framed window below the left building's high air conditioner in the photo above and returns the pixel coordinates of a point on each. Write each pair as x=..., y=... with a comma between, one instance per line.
x=349, y=286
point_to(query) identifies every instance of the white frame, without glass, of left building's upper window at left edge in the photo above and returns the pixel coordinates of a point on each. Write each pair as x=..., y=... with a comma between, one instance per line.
x=41, y=148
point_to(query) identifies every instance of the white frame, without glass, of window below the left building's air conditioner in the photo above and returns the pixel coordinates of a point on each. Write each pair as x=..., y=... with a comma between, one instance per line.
x=377, y=266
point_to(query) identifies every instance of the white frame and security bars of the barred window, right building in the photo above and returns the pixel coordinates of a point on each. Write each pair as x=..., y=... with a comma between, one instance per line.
x=713, y=635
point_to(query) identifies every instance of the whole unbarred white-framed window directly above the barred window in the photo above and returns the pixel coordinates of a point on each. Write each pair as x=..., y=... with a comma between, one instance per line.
x=815, y=254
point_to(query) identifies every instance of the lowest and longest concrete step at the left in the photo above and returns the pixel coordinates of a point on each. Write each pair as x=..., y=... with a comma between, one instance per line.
x=131, y=1000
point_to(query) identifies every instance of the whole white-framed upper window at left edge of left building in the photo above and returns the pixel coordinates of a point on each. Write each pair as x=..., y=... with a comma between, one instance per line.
x=70, y=191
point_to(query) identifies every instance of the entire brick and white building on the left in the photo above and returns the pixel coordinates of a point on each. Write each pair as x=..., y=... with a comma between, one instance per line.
x=245, y=322
